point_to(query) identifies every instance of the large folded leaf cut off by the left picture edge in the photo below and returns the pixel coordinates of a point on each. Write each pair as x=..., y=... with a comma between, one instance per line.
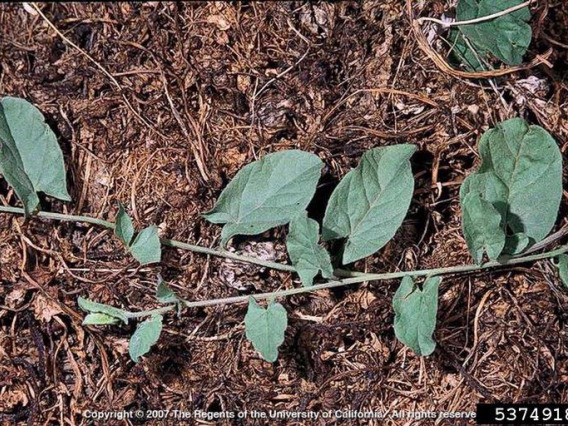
x=30, y=158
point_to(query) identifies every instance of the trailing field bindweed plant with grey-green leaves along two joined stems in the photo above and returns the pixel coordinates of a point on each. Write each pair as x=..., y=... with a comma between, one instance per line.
x=509, y=207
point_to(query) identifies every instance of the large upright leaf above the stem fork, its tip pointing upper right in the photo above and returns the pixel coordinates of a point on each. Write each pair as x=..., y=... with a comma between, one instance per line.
x=370, y=203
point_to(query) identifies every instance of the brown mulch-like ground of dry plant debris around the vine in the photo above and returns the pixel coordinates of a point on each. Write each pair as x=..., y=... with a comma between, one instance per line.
x=200, y=89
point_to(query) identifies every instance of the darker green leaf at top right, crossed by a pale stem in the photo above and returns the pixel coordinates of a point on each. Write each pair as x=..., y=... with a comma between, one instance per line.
x=506, y=37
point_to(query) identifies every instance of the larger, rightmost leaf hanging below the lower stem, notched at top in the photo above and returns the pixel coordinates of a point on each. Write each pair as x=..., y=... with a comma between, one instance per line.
x=415, y=314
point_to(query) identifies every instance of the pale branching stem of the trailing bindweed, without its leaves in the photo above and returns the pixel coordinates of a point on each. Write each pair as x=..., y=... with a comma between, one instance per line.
x=348, y=277
